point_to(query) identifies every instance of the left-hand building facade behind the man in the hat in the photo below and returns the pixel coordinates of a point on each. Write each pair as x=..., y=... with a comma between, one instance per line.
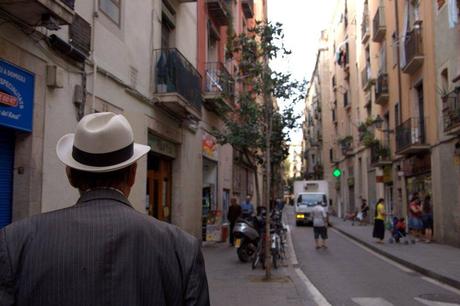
x=63, y=59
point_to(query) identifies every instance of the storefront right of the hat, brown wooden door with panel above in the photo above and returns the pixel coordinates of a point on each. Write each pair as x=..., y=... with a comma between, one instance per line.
x=159, y=178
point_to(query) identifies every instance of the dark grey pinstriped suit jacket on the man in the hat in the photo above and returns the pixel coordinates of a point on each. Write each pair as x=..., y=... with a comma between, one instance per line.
x=100, y=252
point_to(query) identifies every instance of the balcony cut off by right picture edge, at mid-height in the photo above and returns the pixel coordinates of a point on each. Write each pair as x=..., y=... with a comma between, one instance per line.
x=451, y=112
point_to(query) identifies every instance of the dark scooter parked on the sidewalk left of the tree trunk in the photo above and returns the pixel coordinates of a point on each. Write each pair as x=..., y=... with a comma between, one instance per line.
x=247, y=236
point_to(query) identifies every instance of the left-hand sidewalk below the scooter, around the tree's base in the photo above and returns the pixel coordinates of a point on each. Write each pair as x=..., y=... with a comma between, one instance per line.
x=234, y=283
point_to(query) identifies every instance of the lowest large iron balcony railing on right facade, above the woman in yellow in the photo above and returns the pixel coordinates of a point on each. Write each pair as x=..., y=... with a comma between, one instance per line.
x=411, y=132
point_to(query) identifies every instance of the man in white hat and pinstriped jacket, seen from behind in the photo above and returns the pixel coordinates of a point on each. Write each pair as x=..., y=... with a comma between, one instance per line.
x=100, y=251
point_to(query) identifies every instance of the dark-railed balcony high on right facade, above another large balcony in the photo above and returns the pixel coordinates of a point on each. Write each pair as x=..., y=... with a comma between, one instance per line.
x=413, y=45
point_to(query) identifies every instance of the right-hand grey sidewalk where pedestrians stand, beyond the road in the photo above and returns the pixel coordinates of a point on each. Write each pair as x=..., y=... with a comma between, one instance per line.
x=438, y=261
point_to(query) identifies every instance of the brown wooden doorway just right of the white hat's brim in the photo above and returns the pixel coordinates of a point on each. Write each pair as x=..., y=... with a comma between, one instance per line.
x=159, y=186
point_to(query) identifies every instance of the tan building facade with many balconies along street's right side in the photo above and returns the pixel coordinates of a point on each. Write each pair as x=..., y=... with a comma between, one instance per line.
x=393, y=73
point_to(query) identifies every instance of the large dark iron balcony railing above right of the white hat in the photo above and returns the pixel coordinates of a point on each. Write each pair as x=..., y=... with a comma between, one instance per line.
x=175, y=74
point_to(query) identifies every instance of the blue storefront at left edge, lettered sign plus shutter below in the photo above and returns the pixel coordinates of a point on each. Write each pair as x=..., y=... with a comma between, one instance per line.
x=16, y=110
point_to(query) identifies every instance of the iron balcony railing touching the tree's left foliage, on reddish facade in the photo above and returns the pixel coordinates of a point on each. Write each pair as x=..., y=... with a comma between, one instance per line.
x=219, y=80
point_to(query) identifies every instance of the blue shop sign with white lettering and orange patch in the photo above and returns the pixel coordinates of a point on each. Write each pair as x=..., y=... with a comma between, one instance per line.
x=16, y=97
